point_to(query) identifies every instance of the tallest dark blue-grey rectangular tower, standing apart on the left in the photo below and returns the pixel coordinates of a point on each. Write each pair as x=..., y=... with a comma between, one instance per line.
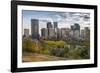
x=35, y=28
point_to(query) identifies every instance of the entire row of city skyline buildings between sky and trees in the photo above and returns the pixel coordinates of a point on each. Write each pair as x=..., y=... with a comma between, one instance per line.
x=53, y=32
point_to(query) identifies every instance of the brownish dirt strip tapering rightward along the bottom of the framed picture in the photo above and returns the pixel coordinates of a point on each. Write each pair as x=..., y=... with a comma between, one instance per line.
x=34, y=57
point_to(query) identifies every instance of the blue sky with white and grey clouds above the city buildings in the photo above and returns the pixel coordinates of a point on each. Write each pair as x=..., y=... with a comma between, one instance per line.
x=64, y=19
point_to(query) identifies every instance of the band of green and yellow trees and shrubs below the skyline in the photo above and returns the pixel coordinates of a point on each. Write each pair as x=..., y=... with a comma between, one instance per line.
x=69, y=49
